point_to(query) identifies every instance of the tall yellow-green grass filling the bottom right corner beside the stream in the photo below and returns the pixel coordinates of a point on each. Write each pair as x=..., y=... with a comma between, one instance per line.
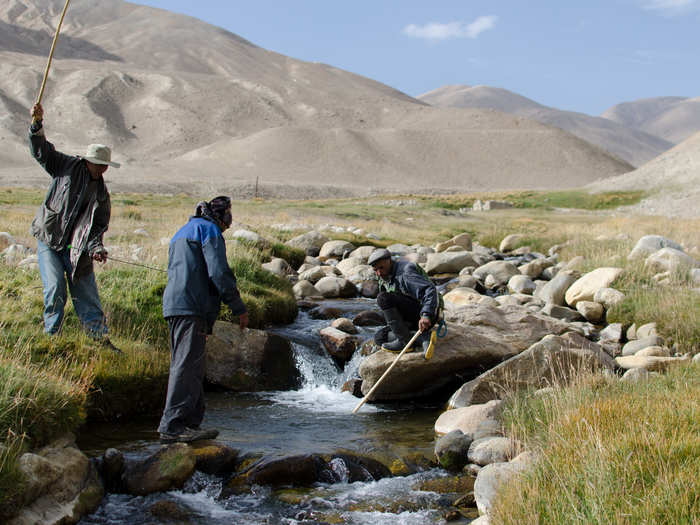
x=611, y=452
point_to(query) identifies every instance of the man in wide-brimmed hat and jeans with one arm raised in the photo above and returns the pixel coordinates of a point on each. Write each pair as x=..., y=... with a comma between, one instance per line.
x=69, y=227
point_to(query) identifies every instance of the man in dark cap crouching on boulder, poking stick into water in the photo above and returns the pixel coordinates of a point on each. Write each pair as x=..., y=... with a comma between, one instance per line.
x=408, y=299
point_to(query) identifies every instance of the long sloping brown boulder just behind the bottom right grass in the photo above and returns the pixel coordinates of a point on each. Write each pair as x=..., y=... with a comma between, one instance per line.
x=553, y=360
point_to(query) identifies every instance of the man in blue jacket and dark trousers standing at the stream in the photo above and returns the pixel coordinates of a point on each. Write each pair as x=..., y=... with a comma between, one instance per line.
x=199, y=279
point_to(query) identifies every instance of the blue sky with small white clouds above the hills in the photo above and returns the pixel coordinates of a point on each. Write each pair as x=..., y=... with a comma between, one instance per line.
x=577, y=55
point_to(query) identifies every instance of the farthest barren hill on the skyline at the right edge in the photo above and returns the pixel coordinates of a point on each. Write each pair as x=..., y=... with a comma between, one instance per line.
x=672, y=118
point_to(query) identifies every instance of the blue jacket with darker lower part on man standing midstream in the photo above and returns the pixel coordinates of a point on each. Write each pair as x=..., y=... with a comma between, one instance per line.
x=199, y=277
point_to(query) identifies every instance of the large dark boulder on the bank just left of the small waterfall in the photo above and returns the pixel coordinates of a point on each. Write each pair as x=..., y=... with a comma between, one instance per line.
x=249, y=360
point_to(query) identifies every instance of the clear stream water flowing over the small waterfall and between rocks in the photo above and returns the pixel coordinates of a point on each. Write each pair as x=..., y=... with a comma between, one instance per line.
x=317, y=418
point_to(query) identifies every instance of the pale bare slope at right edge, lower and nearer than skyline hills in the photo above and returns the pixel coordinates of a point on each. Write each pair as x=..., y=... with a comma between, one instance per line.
x=673, y=179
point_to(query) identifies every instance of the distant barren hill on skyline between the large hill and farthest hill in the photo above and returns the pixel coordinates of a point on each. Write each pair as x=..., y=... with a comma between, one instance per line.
x=632, y=145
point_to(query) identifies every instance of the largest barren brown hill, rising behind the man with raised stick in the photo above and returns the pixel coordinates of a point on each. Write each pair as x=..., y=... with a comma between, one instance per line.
x=189, y=106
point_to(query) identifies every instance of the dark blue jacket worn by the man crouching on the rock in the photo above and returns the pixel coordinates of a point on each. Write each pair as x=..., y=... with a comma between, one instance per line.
x=408, y=279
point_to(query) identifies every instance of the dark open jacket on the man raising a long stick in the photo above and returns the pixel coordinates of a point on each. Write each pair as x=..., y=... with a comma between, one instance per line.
x=71, y=214
